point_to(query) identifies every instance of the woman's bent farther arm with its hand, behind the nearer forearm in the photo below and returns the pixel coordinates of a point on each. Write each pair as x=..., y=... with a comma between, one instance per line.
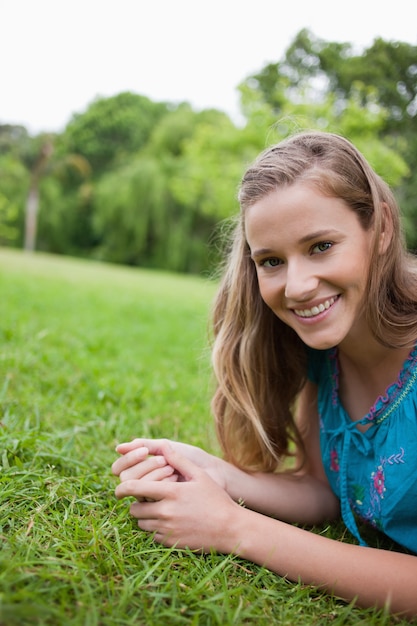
x=304, y=497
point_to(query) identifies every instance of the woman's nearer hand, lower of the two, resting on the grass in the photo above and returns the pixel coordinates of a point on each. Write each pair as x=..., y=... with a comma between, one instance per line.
x=195, y=512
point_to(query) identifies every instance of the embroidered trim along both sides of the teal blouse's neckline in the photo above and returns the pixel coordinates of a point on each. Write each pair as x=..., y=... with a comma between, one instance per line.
x=385, y=404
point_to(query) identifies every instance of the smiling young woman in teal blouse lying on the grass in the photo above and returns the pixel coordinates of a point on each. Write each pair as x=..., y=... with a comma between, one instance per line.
x=316, y=317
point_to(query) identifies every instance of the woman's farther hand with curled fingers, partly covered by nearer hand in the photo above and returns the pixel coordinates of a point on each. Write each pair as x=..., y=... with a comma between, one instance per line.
x=144, y=458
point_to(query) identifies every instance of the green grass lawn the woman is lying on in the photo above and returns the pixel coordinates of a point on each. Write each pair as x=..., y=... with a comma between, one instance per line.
x=92, y=355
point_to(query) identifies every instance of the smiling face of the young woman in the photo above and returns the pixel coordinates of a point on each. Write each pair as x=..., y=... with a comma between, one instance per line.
x=312, y=260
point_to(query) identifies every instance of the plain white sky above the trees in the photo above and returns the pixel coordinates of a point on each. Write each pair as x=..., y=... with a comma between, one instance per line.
x=57, y=56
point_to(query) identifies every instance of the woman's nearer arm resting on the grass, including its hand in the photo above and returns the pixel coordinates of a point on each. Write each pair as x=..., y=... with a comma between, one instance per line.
x=200, y=515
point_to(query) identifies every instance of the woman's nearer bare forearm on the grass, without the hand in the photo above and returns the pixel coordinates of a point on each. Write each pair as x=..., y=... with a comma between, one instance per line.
x=372, y=577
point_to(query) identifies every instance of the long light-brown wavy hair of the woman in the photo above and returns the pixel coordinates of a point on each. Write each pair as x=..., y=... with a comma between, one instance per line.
x=259, y=362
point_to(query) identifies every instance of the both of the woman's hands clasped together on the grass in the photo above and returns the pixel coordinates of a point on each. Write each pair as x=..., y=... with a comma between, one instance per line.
x=180, y=493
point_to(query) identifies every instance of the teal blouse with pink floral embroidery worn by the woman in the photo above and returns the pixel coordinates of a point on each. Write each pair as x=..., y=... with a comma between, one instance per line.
x=373, y=473
